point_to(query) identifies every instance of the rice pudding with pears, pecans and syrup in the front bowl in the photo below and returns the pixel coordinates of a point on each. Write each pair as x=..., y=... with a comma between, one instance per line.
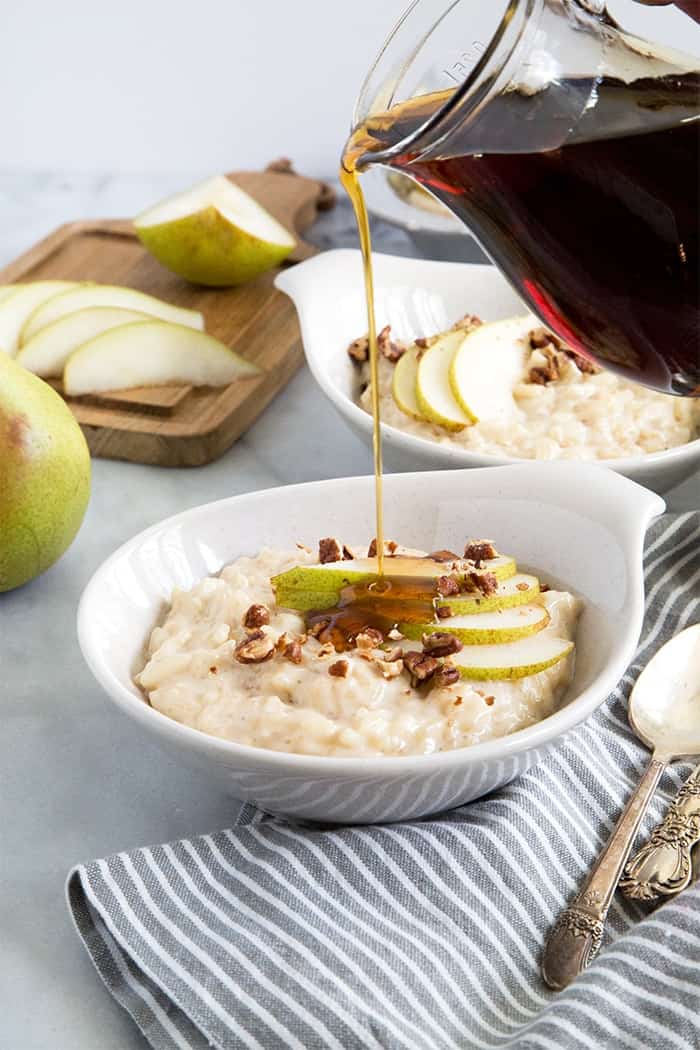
x=268, y=656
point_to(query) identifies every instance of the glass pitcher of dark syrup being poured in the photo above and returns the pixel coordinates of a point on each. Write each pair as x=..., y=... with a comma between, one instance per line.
x=571, y=150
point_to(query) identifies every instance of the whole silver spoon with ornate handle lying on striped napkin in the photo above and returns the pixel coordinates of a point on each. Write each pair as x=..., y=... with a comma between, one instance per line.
x=665, y=713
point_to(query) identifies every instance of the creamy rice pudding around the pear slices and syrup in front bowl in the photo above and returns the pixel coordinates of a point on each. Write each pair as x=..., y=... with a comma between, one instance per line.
x=229, y=661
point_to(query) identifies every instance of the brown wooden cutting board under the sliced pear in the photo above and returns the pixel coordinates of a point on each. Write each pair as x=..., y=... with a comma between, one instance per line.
x=185, y=426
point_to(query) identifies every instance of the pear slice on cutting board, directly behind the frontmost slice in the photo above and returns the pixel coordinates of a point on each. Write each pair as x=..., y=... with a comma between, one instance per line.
x=48, y=352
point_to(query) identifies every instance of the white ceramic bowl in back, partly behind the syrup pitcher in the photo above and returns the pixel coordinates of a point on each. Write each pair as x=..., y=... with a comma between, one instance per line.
x=417, y=297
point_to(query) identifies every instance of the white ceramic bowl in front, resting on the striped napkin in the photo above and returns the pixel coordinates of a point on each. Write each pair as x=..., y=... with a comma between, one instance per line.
x=587, y=536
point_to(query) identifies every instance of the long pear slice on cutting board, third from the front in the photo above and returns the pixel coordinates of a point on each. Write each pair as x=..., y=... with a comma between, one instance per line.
x=108, y=296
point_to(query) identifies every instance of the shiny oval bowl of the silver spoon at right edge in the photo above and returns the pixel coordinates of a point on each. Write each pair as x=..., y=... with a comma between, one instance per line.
x=665, y=705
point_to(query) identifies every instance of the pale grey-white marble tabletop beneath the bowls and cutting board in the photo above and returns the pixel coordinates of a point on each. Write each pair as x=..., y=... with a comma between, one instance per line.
x=76, y=780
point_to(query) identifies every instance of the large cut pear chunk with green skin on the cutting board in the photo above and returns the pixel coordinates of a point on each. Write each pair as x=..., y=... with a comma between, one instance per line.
x=215, y=235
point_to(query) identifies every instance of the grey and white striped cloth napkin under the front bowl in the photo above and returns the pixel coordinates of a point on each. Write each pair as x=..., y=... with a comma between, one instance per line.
x=425, y=935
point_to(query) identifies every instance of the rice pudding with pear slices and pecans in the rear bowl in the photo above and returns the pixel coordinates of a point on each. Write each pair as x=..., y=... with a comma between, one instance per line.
x=543, y=402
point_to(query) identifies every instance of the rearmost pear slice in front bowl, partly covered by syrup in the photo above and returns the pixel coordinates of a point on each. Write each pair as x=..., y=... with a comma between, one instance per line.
x=304, y=586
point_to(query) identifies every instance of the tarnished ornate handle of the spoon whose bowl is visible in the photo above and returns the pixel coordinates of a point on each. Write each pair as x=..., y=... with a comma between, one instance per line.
x=577, y=936
